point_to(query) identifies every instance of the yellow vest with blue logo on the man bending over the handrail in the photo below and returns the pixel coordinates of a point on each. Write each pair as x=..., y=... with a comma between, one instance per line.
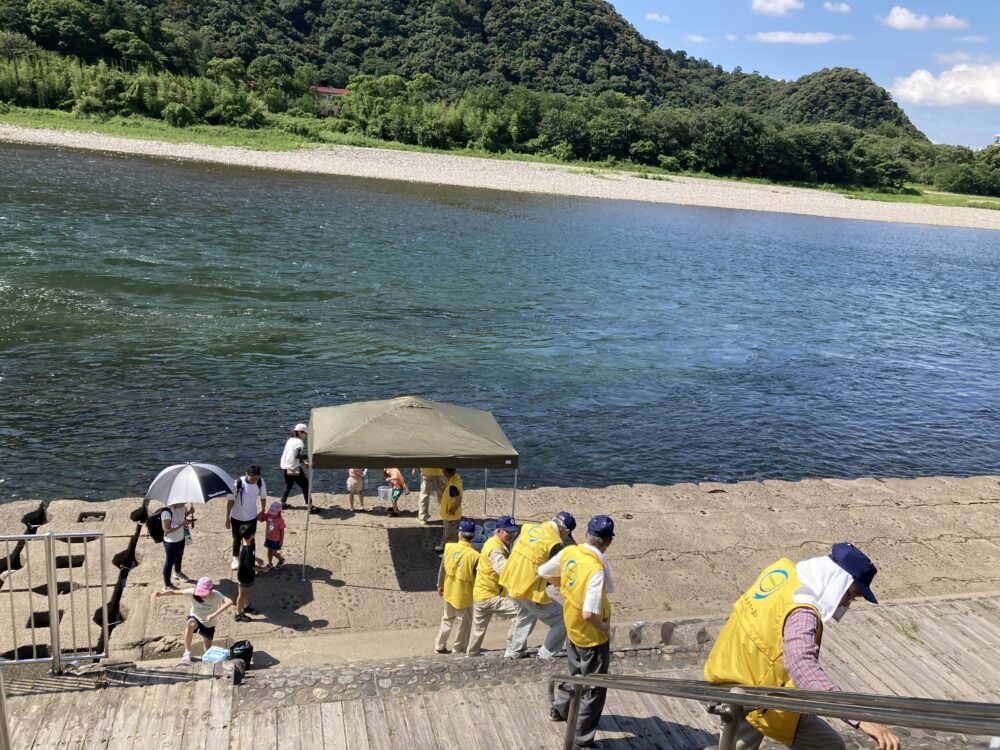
x=750, y=646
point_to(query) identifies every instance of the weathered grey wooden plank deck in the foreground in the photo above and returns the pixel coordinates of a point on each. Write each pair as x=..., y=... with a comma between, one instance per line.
x=944, y=650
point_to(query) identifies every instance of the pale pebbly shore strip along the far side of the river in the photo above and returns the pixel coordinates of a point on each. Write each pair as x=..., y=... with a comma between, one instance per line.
x=522, y=177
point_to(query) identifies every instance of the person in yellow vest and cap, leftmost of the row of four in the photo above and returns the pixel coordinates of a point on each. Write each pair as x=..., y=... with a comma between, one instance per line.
x=456, y=578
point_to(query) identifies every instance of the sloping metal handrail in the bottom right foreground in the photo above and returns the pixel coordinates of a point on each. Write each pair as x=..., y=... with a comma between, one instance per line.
x=732, y=702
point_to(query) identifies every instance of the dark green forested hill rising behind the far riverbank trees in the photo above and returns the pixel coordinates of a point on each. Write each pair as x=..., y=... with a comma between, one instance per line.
x=567, y=46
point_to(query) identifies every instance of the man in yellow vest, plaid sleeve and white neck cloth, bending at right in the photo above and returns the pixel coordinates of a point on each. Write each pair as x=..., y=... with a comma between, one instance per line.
x=772, y=639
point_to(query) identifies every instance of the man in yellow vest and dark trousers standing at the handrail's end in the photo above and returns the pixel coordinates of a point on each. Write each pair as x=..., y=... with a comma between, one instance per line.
x=584, y=579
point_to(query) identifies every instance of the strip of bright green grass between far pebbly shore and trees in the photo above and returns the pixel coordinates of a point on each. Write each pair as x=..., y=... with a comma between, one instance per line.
x=282, y=136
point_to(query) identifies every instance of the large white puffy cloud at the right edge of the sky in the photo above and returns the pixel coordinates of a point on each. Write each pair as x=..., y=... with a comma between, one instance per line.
x=958, y=86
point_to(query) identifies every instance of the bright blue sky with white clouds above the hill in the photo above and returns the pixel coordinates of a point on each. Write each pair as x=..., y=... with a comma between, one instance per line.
x=940, y=59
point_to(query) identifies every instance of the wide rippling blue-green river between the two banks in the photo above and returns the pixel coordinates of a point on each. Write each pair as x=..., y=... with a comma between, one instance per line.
x=154, y=312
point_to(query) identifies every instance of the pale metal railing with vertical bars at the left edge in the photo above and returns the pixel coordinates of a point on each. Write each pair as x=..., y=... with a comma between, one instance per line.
x=19, y=582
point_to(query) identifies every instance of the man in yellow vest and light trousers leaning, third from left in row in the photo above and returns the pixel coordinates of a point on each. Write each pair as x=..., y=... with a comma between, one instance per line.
x=536, y=544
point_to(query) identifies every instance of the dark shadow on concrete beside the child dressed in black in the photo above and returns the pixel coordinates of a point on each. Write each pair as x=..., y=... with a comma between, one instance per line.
x=279, y=594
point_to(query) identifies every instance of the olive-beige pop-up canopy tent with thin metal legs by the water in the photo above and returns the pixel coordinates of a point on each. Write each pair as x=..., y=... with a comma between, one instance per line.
x=409, y=432
